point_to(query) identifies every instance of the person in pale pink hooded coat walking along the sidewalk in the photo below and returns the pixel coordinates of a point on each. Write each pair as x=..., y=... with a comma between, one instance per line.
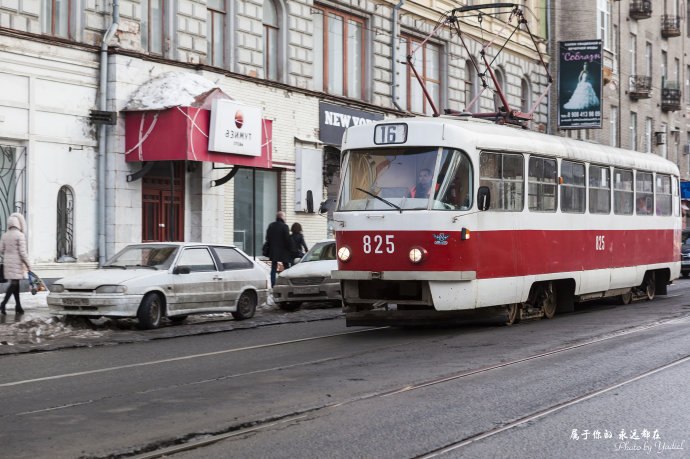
x=15, y=258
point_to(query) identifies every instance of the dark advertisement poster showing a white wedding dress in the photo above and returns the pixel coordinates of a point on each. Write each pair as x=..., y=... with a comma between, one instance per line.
x=579, y=84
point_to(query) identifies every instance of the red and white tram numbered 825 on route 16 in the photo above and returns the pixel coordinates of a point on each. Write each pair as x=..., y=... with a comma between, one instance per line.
x=523, y=223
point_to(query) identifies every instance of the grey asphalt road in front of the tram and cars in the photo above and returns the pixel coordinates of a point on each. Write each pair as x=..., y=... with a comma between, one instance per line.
x=566, y=387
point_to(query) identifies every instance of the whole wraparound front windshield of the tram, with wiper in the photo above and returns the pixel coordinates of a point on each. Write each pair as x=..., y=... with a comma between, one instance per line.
x=405, y=179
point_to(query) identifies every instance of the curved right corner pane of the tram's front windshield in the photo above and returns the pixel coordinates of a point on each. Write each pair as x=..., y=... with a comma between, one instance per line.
x=454, y=183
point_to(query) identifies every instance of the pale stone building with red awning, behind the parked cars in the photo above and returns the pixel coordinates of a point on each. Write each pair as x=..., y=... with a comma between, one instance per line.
x=107, y=107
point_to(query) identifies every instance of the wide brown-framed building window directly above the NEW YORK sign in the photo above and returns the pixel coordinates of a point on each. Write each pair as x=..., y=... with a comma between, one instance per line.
x=338, y=62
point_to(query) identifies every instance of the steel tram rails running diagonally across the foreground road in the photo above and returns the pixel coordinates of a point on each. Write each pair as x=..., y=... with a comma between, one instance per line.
x=199, y=440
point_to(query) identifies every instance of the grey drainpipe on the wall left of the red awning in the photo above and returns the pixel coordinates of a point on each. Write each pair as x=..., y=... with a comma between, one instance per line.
x=102, y=105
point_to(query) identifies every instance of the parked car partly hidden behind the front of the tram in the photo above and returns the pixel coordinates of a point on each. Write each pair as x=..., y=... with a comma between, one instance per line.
x=310, y=279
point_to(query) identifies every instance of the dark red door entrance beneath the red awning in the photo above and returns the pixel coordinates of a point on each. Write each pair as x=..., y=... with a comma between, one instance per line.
x=162, y=202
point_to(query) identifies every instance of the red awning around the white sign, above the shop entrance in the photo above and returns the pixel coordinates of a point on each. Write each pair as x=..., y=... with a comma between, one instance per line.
x=181, y=133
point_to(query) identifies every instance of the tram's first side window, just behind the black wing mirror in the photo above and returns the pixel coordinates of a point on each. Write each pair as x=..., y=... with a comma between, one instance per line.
x=503, y=174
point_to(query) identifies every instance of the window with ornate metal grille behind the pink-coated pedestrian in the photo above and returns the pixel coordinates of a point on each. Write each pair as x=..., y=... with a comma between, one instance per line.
x=12, y=182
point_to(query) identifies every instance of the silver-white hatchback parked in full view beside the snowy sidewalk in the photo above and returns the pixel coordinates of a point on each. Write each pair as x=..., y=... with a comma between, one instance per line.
x=173, y=279
